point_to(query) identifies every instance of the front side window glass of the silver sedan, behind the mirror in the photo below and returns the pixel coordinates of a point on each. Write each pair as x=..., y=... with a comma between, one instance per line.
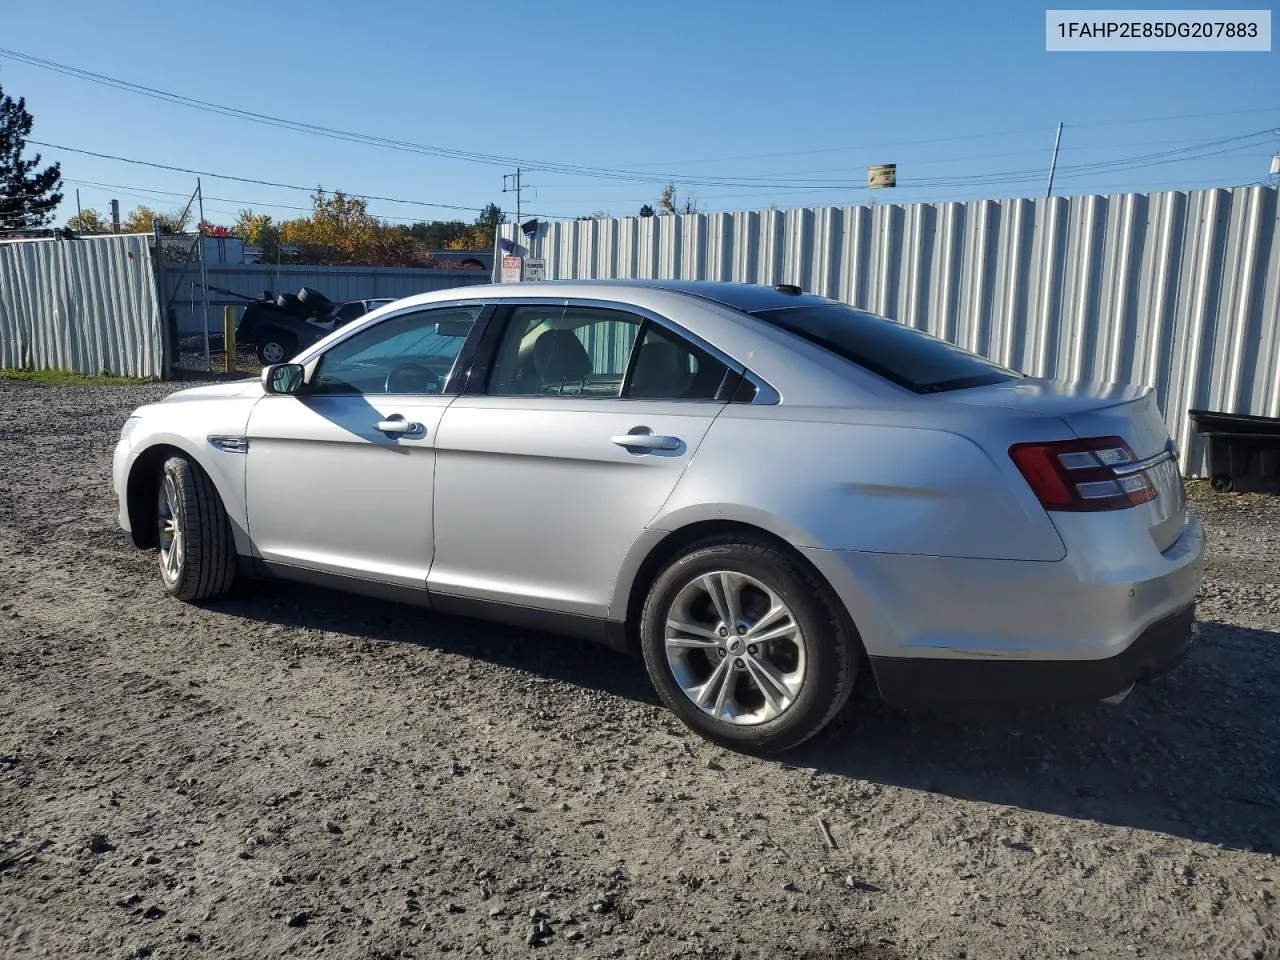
x=408, y=354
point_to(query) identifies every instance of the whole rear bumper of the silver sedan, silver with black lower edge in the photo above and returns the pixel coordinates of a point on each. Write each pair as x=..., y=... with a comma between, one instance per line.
x=1114, y=611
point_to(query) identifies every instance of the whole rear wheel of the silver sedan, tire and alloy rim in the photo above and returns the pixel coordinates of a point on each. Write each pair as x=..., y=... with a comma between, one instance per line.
x=747, y=646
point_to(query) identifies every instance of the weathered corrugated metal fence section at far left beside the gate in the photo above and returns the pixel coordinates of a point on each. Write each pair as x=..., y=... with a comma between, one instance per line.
x=86, y=305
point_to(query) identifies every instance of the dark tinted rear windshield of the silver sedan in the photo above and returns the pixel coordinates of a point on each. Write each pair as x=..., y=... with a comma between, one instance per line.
x=908, y=358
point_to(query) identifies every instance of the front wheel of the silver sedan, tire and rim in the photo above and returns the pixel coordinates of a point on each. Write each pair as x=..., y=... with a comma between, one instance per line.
x=205, y=565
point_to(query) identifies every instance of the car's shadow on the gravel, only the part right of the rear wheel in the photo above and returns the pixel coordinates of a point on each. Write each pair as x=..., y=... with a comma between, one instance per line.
x=1195, y=753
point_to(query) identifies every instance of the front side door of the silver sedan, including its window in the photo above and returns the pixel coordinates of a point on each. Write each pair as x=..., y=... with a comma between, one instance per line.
x=340, y=477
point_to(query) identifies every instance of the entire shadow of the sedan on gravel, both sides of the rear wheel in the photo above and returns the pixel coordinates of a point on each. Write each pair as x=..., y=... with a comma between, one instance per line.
x=1194, y=755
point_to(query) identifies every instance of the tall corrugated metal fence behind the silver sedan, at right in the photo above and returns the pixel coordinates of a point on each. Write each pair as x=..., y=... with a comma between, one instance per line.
x=1176, y=291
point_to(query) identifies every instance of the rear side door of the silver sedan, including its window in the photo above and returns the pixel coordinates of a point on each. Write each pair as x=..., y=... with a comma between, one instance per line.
x=551, y=469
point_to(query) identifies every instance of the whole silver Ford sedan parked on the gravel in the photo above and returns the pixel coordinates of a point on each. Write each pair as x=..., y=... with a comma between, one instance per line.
x=761, y=492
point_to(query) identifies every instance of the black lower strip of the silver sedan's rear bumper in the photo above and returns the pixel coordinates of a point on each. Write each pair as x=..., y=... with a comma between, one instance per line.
x=915, y=680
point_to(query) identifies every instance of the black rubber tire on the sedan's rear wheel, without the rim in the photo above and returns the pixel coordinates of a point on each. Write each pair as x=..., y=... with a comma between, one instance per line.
x=831, y=643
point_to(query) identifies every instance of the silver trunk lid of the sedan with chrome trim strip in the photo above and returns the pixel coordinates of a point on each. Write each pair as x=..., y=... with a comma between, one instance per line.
x=1104, y=410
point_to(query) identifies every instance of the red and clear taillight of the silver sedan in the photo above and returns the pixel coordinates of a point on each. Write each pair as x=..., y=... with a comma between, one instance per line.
x=1084, y=476
